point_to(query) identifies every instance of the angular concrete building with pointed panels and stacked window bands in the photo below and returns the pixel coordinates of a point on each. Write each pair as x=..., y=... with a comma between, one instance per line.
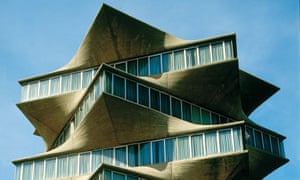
x=138, y=103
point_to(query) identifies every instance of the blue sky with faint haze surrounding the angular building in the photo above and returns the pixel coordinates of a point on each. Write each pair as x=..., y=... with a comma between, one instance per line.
x=39, y=36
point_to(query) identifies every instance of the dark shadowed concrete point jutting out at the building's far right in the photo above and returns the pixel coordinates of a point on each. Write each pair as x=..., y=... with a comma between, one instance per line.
x=254, y=91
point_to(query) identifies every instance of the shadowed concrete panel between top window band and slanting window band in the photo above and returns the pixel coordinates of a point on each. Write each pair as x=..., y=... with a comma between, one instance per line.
x=214, y=86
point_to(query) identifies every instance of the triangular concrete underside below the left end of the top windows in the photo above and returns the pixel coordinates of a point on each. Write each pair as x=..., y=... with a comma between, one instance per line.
x=50, y=115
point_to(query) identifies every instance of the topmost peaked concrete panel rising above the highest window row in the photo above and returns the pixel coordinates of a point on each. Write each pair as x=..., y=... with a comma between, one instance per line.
x=115, y=35
